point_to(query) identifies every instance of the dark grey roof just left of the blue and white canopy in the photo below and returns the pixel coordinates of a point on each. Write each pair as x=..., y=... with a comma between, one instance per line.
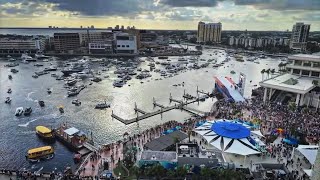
x=165, y=141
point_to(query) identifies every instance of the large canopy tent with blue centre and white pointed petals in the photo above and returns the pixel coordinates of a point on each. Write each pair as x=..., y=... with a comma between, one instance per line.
x=228, y=136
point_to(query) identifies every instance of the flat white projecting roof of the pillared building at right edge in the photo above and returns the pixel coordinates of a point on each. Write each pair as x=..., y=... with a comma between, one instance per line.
x=282, y=82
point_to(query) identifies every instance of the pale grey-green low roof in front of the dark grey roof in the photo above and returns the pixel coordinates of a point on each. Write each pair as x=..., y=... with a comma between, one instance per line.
x=158, y=155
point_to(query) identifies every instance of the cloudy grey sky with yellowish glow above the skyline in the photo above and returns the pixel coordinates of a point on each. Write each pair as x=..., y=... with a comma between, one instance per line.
x=161, y=14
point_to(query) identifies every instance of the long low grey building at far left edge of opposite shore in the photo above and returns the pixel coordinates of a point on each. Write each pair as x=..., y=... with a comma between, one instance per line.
x=19, y=46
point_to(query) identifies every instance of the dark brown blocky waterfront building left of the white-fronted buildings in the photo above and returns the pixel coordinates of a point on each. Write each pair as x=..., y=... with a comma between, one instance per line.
x=66, y=42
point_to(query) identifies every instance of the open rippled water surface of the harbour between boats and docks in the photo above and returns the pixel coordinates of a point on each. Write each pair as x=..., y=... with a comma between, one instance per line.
x=18, y=133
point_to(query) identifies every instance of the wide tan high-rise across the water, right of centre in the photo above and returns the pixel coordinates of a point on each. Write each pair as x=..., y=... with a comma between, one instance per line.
x=210, y=32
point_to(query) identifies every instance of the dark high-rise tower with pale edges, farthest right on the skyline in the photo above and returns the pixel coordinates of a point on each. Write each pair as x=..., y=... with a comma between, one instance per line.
x=299, y=36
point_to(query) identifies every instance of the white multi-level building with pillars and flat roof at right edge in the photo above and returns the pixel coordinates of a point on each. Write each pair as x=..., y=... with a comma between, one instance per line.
x=298, y=83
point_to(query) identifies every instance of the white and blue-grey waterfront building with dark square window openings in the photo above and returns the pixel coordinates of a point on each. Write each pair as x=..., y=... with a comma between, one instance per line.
x=125, y=43
